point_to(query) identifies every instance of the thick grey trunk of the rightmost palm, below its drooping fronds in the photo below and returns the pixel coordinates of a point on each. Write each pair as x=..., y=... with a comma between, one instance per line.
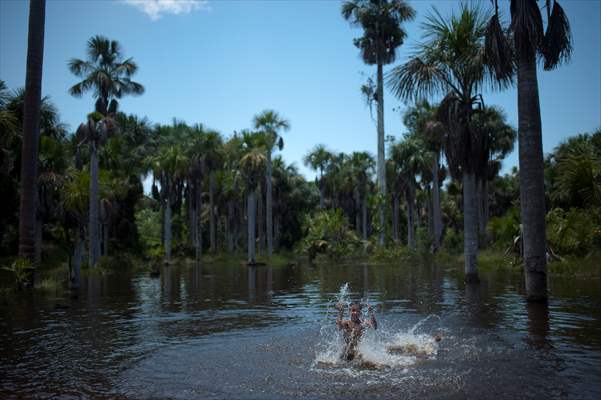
x=532, y=191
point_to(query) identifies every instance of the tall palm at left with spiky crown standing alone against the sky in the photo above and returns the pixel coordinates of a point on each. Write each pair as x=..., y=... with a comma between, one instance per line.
x=108, y=76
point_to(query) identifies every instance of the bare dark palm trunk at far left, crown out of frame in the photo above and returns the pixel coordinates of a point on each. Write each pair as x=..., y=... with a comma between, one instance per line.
x=31, y=125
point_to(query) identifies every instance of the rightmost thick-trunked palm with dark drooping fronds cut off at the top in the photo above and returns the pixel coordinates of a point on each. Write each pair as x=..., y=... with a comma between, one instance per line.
x=555, y=45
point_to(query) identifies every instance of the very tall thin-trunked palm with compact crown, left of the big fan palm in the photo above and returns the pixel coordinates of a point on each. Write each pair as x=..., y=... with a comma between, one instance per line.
x=383, y=33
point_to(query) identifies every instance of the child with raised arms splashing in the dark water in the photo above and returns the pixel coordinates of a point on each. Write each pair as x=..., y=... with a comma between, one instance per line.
x=353, y=327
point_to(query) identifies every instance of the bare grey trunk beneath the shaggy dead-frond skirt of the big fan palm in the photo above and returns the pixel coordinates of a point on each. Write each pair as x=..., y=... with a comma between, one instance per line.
x=470, y=227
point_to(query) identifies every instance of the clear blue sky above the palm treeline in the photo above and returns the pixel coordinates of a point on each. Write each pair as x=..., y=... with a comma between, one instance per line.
x=221, y=62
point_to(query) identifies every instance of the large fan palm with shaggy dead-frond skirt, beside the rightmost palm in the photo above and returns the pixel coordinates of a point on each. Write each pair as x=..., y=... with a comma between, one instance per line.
x=450, y=61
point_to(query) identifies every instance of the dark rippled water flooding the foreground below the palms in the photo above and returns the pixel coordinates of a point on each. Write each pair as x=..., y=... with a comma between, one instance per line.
x=226, y=331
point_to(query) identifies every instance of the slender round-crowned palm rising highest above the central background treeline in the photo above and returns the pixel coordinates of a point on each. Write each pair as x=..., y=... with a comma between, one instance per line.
x=271, y=124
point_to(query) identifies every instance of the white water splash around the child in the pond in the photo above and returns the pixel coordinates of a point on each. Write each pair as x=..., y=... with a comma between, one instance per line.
x=378, y=349
